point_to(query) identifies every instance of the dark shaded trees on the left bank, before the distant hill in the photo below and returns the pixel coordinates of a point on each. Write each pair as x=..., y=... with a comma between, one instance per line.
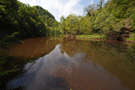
x=18, y=17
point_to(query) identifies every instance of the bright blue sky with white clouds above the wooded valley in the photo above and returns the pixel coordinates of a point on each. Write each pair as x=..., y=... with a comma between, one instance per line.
x=62, y=7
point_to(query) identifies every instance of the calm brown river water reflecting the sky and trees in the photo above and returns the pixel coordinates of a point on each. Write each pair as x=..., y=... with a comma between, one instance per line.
x=67, y=64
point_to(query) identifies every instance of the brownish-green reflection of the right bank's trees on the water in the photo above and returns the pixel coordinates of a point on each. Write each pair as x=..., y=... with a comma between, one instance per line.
x=116, y=58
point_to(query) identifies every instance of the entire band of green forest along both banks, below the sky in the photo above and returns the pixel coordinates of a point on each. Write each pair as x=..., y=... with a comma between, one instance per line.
x=114, y=19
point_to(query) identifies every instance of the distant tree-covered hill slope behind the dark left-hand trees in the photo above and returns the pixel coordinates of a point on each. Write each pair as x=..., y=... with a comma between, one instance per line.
x=49, y=21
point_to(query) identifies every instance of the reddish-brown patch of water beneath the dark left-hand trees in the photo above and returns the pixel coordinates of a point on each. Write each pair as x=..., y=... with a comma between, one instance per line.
x=33, y=48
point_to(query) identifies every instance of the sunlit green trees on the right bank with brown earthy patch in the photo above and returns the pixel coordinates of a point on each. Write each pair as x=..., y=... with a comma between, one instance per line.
x=115, y=19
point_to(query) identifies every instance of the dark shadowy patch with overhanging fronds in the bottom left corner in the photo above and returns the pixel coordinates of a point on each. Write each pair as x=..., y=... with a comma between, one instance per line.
x=11, y=68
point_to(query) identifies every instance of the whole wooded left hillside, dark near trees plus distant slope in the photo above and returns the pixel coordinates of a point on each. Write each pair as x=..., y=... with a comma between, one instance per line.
x=21, y=21
